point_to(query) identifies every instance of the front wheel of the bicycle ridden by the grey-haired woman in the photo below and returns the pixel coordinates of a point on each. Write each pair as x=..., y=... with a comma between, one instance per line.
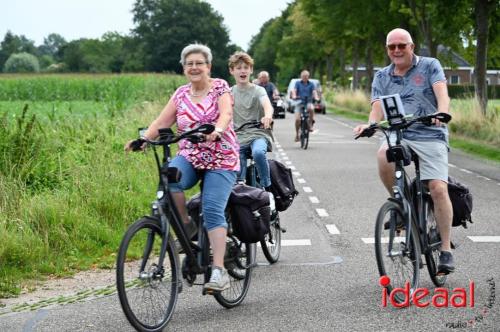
x=147, y=293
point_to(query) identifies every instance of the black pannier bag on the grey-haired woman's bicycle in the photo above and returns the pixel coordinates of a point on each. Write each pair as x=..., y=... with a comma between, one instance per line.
x=250, y=213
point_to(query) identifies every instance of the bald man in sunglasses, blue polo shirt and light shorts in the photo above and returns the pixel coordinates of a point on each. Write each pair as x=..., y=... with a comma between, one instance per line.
x=421, y=83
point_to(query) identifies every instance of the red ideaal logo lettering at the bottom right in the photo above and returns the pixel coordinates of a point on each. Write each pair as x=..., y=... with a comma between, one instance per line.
x=441, y=297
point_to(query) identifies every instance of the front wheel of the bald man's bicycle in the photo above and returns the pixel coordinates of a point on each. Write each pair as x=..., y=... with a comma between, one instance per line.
x=396, y=259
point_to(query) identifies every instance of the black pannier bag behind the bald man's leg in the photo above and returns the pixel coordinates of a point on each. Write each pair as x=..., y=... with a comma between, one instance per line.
x=461, y=200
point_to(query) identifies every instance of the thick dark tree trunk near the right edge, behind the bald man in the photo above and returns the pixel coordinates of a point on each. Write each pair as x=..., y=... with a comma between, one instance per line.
x=481, y=9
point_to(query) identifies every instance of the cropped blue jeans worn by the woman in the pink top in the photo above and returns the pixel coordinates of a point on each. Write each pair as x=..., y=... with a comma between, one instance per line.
x=217, y=186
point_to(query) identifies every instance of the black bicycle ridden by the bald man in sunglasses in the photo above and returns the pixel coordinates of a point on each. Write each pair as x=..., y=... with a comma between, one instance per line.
x=408, y=216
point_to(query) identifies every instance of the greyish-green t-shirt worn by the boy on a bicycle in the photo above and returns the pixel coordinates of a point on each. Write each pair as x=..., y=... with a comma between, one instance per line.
x=248, y=107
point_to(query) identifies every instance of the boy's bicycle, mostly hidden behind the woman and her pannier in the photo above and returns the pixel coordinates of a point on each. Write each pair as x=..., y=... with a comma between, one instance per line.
x=271, y=244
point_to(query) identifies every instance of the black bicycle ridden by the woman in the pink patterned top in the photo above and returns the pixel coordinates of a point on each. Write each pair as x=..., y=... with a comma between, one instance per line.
x=148, y=265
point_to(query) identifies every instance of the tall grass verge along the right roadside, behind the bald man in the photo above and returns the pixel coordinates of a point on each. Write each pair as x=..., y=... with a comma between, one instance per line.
x=470, y=131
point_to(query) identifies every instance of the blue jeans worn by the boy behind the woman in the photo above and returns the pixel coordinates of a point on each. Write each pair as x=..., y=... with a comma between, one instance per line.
x=258, y=147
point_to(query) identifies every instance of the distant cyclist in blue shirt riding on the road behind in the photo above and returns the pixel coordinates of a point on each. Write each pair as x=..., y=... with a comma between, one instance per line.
x=304, y=89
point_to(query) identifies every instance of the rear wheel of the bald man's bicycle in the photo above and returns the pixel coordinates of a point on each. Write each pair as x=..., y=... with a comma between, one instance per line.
x=434, y=242
